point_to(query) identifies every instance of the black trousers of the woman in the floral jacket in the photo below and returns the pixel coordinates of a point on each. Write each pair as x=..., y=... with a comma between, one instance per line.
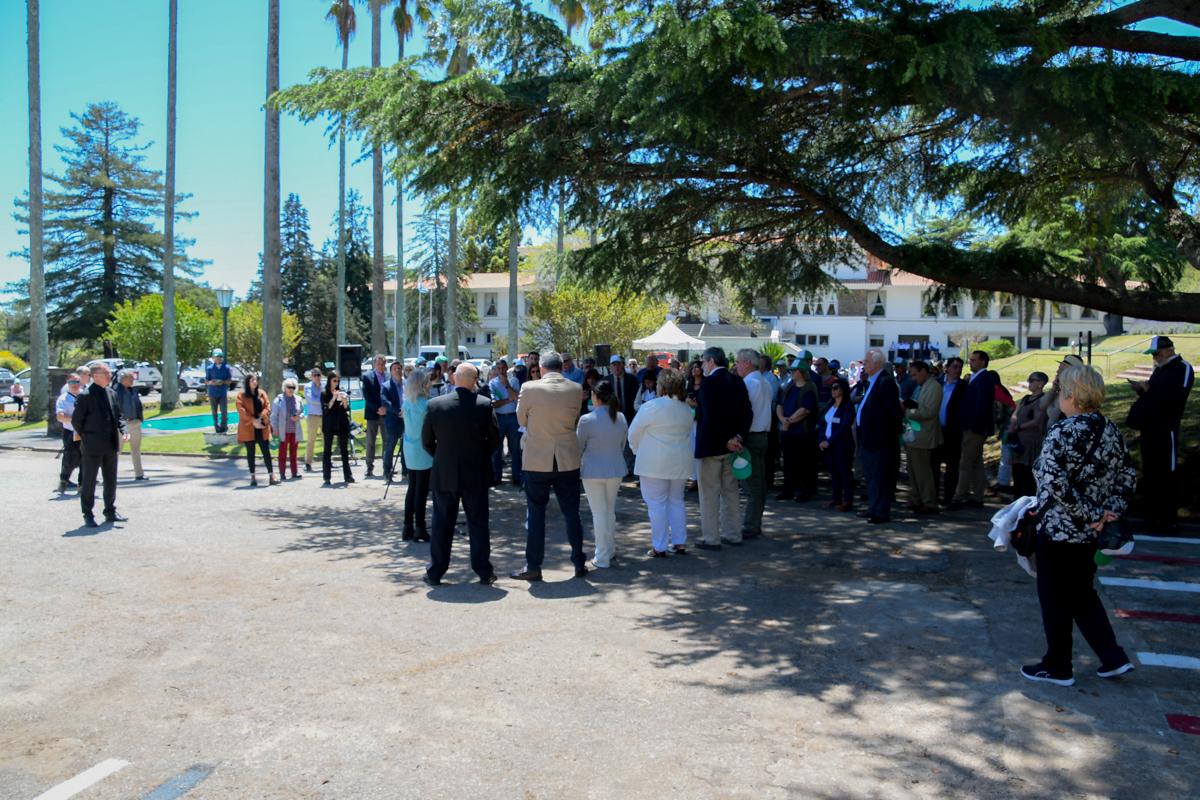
x=1067, y=594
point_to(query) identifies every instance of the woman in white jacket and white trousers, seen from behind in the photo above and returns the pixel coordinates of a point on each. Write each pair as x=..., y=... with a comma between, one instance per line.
x=659, y=437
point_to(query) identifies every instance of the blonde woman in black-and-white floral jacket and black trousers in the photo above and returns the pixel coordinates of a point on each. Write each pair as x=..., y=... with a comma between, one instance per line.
x=1085, y=480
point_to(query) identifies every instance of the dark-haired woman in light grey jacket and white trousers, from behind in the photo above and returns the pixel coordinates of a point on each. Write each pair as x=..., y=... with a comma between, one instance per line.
x=602, y=435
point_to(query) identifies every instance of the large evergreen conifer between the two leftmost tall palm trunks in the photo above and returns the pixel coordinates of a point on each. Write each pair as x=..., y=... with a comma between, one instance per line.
x=101, y=243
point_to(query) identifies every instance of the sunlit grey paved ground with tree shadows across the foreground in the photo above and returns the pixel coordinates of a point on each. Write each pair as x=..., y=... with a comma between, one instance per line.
x=278, y=643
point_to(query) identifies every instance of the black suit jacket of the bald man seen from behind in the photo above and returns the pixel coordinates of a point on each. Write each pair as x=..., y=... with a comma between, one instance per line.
x=460, y=432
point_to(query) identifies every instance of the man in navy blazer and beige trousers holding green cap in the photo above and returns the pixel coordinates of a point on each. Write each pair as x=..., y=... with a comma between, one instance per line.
x=723, y=423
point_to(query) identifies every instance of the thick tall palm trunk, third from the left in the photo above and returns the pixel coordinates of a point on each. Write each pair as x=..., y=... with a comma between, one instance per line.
x=273, y=310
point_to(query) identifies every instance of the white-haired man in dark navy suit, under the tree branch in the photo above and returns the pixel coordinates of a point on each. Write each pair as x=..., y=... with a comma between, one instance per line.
x=879, y=418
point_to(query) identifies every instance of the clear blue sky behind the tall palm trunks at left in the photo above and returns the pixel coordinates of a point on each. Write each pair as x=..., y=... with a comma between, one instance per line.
x=93, y=53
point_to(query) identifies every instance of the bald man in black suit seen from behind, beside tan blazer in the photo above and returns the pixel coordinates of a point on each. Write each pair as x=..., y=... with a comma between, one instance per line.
x=461, y=434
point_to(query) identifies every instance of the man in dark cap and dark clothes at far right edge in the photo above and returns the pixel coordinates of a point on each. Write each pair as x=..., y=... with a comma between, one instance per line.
x=1157, y=414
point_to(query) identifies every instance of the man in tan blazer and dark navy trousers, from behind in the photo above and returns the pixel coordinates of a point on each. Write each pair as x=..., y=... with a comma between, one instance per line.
x=549, y=410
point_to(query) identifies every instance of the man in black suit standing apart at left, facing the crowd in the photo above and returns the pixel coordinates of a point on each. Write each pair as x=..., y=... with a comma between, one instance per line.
x=98, y=423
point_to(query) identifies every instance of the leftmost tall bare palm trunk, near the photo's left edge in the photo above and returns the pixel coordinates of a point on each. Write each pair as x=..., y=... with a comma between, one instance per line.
x=39, y=344
